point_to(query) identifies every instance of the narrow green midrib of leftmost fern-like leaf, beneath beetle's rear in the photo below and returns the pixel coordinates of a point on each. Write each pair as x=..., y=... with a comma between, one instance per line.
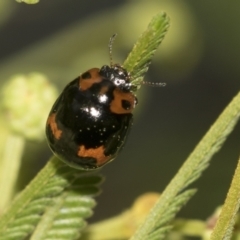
x=27, y=195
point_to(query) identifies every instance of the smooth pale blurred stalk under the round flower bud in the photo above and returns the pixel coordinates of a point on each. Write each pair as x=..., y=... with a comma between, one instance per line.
x=10, y=164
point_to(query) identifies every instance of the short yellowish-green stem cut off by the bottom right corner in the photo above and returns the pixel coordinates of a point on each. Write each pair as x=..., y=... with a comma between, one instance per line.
x=225, y=223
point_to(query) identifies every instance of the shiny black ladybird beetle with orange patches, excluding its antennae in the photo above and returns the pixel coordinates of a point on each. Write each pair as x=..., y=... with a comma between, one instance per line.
x=88, y=124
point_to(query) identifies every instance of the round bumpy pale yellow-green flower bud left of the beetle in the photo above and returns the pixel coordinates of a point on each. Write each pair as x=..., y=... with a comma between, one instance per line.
x=26, y=101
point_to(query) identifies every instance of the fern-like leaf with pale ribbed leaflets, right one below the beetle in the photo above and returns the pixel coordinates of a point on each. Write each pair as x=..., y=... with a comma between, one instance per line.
x=66, y=218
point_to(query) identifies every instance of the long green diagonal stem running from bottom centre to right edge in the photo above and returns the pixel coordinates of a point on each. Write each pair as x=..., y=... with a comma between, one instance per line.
x=193, y=166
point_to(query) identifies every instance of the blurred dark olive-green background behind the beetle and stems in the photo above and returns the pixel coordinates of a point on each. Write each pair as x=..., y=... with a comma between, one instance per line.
x=198, y=60
